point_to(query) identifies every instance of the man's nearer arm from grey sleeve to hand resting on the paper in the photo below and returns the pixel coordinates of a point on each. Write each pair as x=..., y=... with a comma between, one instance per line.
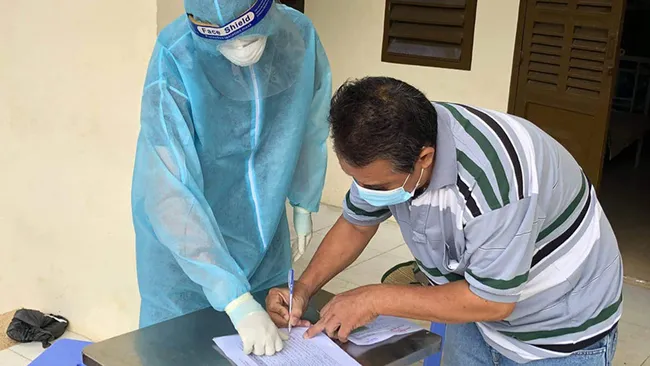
x=499, y=249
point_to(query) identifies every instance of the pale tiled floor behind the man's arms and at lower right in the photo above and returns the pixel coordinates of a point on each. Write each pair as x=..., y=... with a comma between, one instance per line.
x=387, y=249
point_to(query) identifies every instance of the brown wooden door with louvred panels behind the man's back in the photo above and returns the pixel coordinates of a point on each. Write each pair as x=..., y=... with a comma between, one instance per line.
x=564, y=71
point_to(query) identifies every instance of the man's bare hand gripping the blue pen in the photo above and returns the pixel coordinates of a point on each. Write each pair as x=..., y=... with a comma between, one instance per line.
x=277, y=305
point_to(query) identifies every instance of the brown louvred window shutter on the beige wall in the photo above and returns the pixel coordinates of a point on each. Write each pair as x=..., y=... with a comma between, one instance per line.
x=429, y=32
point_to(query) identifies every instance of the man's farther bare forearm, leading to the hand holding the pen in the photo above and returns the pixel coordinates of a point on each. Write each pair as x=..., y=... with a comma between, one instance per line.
x=341, y=246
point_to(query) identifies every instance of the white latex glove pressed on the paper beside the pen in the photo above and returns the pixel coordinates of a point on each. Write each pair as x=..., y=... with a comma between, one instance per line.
x=256, y=329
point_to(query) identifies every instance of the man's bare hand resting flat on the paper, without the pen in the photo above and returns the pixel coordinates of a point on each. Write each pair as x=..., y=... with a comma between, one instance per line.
x=346, y=312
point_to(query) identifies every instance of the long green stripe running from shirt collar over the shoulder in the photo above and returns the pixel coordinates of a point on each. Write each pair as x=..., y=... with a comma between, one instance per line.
x=487, y=148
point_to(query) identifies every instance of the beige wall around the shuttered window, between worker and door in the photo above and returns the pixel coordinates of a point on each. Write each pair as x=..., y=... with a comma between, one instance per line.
x=351, y=31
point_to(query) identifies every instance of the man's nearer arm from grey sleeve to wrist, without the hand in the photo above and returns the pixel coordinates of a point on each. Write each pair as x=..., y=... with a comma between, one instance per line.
x=499, y=247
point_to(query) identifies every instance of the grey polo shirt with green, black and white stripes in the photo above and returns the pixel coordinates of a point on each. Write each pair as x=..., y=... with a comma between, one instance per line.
x=510, y=211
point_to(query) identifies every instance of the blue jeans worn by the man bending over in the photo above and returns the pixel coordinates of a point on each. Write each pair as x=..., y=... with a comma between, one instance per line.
x=464, y=346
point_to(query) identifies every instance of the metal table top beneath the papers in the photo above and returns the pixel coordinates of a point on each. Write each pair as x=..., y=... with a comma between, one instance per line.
x=187, y=341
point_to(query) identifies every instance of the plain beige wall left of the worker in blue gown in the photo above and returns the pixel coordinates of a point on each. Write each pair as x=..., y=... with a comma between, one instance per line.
x=71, y=75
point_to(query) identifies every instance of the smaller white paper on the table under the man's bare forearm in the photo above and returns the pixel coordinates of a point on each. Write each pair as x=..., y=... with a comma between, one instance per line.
x=381, y=329
